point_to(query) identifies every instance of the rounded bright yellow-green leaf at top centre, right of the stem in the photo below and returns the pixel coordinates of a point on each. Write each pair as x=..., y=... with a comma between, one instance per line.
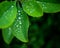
x=32, y=8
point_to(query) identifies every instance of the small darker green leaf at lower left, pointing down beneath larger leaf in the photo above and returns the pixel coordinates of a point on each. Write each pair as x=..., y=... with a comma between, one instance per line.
x=7, y=35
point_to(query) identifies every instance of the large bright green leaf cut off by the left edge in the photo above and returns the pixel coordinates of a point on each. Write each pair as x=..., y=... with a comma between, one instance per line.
x=8, y=13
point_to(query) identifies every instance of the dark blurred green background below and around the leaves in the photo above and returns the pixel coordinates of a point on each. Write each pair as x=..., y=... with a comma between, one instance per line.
x=44, y=32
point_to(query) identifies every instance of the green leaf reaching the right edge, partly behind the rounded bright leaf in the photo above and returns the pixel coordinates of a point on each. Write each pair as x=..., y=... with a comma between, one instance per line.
x=50, y=6
